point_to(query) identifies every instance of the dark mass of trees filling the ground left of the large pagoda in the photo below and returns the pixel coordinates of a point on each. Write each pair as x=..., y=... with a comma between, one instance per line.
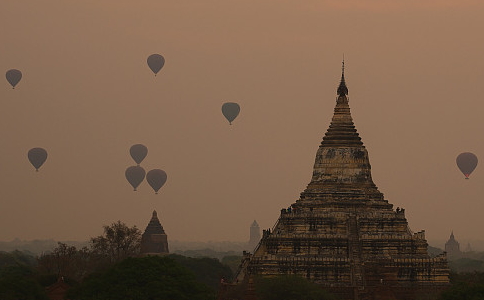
x=109, y=268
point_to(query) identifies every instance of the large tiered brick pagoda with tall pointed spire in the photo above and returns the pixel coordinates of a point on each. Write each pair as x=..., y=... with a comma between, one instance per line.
x=342, y=233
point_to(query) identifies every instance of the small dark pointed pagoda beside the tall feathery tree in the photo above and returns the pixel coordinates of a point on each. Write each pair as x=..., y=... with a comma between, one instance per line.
x=154, y=240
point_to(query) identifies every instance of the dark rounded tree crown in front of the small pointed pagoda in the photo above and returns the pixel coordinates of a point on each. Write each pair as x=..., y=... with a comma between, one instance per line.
x=151, y=277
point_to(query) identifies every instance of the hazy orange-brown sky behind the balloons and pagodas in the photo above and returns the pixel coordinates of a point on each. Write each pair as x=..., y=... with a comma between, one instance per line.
x=414, y=71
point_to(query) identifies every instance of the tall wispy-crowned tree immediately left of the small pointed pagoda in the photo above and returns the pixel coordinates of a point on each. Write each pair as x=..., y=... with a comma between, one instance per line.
x=118, y=242
